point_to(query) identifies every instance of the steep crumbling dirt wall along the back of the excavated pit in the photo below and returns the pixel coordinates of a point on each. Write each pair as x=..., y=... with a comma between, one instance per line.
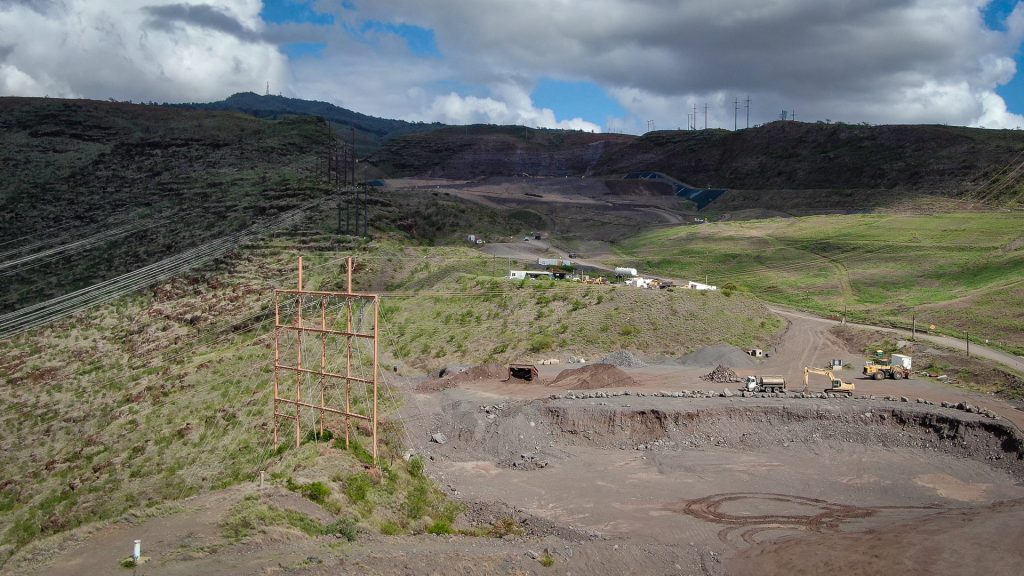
x=655, y=424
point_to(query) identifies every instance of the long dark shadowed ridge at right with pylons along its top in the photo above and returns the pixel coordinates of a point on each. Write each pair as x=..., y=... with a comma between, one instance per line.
x=774, y=157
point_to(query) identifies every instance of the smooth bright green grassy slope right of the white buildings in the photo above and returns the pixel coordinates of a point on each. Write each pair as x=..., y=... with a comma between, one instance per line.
x=959, y=271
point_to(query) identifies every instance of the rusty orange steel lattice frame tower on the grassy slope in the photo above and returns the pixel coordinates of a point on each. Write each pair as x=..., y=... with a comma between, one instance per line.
x=319, y=361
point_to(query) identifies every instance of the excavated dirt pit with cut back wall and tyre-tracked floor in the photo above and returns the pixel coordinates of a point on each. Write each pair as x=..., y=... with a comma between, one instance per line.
x=752, y=486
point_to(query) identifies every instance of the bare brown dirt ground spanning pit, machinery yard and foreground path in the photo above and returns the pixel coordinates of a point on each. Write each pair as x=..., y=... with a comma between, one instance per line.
x=656, y=482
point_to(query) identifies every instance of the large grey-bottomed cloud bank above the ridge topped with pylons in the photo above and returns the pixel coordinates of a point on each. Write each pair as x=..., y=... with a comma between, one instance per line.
x=874, y=61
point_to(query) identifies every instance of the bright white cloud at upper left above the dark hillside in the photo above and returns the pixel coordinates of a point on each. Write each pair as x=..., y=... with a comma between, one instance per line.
x=142, y=51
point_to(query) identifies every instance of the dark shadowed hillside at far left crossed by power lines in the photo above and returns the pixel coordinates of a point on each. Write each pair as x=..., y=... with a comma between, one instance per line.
x=92, y=190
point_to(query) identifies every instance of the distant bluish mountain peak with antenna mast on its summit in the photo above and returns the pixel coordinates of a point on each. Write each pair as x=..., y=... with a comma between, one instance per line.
x=371, y=133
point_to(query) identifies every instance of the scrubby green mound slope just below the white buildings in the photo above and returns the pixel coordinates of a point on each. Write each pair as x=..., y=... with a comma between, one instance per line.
x=455, y=306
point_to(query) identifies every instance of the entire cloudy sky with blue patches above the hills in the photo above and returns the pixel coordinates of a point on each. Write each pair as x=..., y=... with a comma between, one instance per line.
x=622, y=66
